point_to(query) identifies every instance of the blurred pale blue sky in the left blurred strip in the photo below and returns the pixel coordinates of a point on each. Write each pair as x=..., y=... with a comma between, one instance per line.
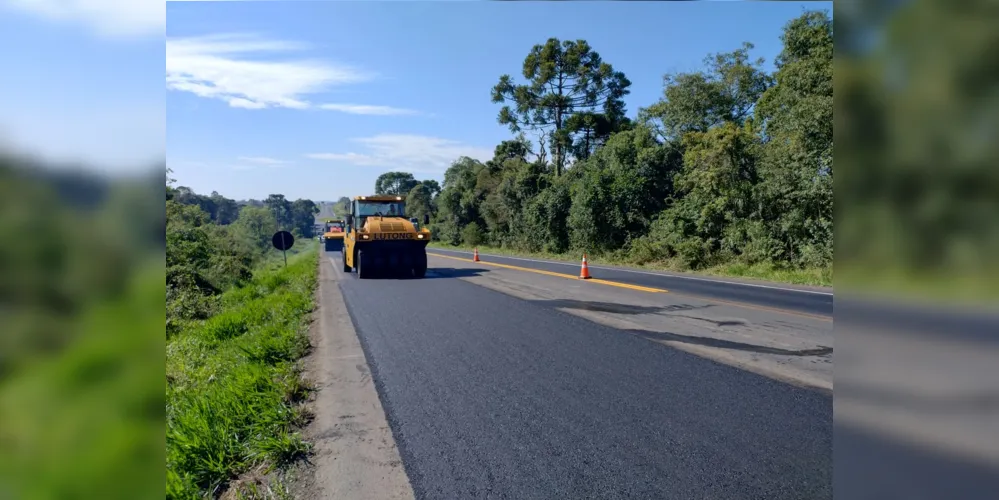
x=83, y=81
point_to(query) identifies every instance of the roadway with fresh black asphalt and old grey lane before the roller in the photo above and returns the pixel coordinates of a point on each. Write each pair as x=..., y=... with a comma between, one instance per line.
x=503, y=383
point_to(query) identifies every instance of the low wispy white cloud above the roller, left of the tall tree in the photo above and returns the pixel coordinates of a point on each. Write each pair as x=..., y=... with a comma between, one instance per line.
x=411, y=153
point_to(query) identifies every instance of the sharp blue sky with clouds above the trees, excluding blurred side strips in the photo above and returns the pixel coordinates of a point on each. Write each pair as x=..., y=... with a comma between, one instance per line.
x=408, y=82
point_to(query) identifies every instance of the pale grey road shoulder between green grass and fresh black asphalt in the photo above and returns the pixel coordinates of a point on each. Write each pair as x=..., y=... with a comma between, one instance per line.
x=355, y=455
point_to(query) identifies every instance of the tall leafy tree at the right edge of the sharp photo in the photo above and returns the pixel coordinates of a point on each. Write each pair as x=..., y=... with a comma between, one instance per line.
x=796, y=118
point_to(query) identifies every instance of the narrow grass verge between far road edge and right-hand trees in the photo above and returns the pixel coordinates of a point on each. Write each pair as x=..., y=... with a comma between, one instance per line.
x=766, y=272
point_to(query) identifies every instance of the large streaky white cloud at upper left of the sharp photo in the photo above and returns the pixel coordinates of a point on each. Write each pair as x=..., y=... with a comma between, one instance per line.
x=232, y=68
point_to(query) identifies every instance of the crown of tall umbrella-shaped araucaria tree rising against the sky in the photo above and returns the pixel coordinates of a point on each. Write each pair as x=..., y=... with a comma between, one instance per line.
x=572, y=98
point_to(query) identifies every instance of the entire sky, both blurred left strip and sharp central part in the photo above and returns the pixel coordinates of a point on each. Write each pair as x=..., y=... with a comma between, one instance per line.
x=316, y=99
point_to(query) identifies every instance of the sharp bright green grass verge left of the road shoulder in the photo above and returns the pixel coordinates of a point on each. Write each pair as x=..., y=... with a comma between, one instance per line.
x=234, y=386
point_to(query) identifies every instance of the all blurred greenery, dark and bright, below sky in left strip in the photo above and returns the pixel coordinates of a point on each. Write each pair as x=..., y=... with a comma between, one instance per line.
x=81, y=304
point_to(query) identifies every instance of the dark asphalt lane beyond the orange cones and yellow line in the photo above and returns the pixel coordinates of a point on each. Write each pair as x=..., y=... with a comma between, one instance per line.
x=798, y=299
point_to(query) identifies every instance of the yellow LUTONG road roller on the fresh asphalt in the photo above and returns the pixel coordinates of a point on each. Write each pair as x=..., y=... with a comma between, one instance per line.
x=380, y=237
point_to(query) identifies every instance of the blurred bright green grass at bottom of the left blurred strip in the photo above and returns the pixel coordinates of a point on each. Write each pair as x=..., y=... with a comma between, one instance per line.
x=86, y=421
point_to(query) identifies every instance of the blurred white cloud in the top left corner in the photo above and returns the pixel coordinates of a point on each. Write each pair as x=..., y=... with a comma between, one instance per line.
x=107, y=18
